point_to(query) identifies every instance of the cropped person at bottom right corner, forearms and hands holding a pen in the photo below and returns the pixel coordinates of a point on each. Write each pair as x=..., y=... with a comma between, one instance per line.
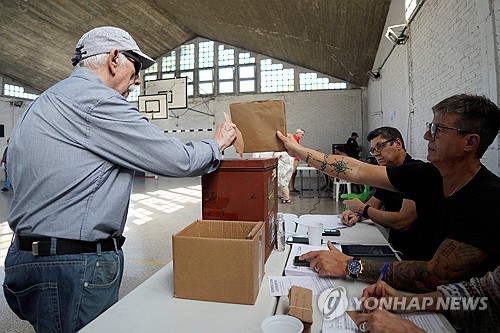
x=464, y=318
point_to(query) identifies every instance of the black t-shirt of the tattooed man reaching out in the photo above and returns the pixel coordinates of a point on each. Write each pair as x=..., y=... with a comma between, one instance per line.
x=466, y=216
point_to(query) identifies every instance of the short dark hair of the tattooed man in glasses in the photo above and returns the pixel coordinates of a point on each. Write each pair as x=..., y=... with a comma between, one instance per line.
x=476, y=114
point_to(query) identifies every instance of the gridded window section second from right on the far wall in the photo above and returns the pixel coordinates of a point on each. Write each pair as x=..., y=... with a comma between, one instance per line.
x=275, y=78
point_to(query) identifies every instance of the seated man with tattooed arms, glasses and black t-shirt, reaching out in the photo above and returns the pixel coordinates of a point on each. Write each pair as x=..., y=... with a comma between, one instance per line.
x=456, y=191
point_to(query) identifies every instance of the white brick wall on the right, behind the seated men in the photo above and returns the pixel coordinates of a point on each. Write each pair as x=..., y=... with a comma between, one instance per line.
x=445, y=54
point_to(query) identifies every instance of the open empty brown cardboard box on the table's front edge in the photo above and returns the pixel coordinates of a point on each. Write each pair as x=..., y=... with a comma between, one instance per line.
x=221, y=261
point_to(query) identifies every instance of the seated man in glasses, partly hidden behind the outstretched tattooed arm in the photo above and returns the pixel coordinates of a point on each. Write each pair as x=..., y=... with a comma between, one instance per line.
x=400, y=213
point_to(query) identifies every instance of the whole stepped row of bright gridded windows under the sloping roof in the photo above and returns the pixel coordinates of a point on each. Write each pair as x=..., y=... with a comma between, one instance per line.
x=214, y=68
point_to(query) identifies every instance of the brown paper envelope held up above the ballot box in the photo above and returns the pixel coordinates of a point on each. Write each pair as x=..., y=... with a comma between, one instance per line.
x=258, y=122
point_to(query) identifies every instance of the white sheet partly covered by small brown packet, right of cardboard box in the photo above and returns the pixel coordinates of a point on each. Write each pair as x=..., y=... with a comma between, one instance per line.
x=280, y=285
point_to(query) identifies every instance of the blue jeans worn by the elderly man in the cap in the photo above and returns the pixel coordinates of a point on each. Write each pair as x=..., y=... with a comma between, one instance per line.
x=61, y=293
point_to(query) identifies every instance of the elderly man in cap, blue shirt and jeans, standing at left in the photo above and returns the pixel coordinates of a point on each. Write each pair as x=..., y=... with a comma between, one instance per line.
x=72, y=160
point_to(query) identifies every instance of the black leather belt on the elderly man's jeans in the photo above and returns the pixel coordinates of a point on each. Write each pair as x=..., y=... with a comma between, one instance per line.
x=40, y=245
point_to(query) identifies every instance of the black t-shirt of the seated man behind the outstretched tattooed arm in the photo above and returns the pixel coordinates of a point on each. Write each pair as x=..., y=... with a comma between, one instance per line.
x=408, y=242
